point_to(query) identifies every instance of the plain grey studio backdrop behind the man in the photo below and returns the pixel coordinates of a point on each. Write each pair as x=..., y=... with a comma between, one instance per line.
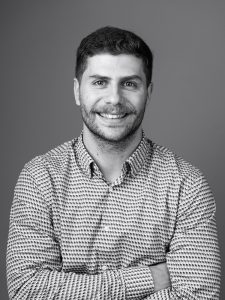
x=186, y=114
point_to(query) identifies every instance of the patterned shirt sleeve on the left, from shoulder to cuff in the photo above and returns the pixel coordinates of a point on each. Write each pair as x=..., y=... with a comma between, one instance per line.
x=34, y=261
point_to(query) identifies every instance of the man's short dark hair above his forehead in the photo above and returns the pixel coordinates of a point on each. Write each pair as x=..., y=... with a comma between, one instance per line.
x=114, y=41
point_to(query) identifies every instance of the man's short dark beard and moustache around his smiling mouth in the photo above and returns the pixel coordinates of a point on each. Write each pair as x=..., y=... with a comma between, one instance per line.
x=113, y=133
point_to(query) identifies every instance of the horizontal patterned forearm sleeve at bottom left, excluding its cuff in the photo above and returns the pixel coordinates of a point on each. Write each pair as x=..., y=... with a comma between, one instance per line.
x=50, y=284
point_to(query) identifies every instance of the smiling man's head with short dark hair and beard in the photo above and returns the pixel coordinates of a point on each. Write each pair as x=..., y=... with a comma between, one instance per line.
x=113, y=83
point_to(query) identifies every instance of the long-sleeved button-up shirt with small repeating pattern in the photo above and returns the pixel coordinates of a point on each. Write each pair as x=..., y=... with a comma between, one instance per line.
x=73, y=235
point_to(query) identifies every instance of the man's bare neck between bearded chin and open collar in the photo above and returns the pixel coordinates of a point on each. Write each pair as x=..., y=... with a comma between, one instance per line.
x=110, y=156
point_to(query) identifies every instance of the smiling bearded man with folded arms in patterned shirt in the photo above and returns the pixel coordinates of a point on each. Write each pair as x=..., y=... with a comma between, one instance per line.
x=110, y=214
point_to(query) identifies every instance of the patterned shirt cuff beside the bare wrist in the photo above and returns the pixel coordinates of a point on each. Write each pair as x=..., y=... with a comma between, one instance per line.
x=138, y=282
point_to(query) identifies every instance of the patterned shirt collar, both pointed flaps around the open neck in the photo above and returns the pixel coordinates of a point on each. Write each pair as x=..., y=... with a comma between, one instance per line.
x=135, y=162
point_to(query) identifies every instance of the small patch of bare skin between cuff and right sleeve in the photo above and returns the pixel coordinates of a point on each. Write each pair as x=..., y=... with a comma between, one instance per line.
x=161, y=276
